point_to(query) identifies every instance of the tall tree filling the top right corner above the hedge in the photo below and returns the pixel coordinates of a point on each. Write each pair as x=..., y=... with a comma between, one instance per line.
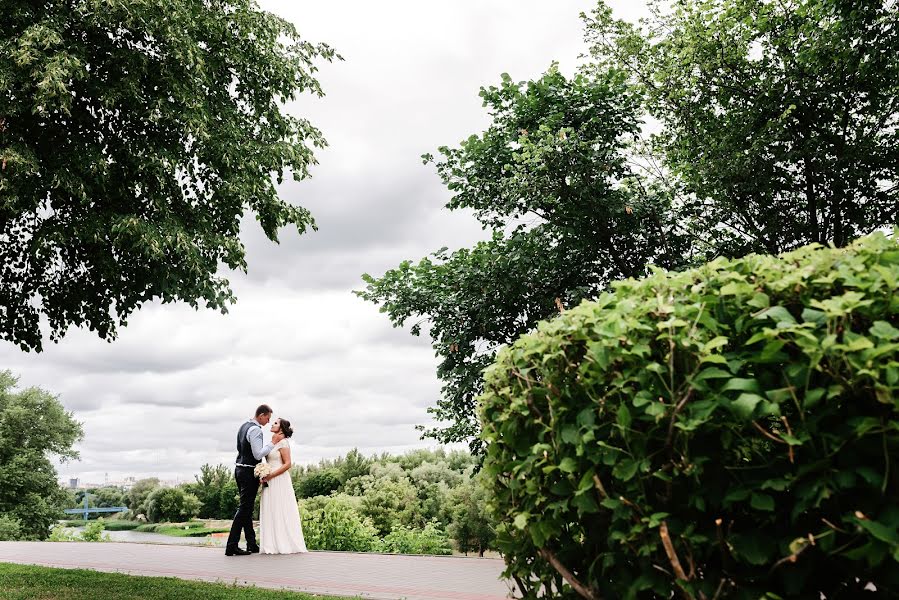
x=779, y=119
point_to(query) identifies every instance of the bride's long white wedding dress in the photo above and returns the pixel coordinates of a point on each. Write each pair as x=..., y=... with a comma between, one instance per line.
x=280, y=529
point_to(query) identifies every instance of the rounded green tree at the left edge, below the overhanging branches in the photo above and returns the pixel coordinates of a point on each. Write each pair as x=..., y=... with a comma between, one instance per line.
x=33, y=427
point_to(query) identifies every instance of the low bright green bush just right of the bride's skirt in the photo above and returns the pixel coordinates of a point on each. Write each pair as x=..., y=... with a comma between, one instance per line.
x=334, y=523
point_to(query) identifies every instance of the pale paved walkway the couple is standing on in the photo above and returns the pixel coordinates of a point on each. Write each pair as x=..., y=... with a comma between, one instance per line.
x=380, y=576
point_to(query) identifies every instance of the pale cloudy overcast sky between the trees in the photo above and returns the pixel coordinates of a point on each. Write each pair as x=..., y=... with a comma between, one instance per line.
x=169, y=394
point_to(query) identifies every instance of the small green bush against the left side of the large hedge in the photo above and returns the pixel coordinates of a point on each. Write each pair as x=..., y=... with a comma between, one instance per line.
x=471, y=526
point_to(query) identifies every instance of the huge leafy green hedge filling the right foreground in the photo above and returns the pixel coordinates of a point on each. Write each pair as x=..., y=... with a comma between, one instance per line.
x=728, y=431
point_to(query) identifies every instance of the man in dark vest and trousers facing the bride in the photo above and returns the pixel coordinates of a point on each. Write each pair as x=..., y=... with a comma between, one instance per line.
x=250, y=452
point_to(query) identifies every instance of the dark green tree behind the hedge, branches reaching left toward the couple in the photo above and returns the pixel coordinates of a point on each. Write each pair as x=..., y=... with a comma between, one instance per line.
x=550, y=178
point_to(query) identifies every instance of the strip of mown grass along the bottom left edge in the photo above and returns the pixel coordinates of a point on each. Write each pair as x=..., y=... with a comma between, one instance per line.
x=25, y=582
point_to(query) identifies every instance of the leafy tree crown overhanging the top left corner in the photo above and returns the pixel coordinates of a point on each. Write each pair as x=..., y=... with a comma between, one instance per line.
x=133, y=138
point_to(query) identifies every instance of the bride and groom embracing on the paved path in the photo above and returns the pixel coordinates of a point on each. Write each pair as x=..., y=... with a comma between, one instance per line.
x=280, y=529
